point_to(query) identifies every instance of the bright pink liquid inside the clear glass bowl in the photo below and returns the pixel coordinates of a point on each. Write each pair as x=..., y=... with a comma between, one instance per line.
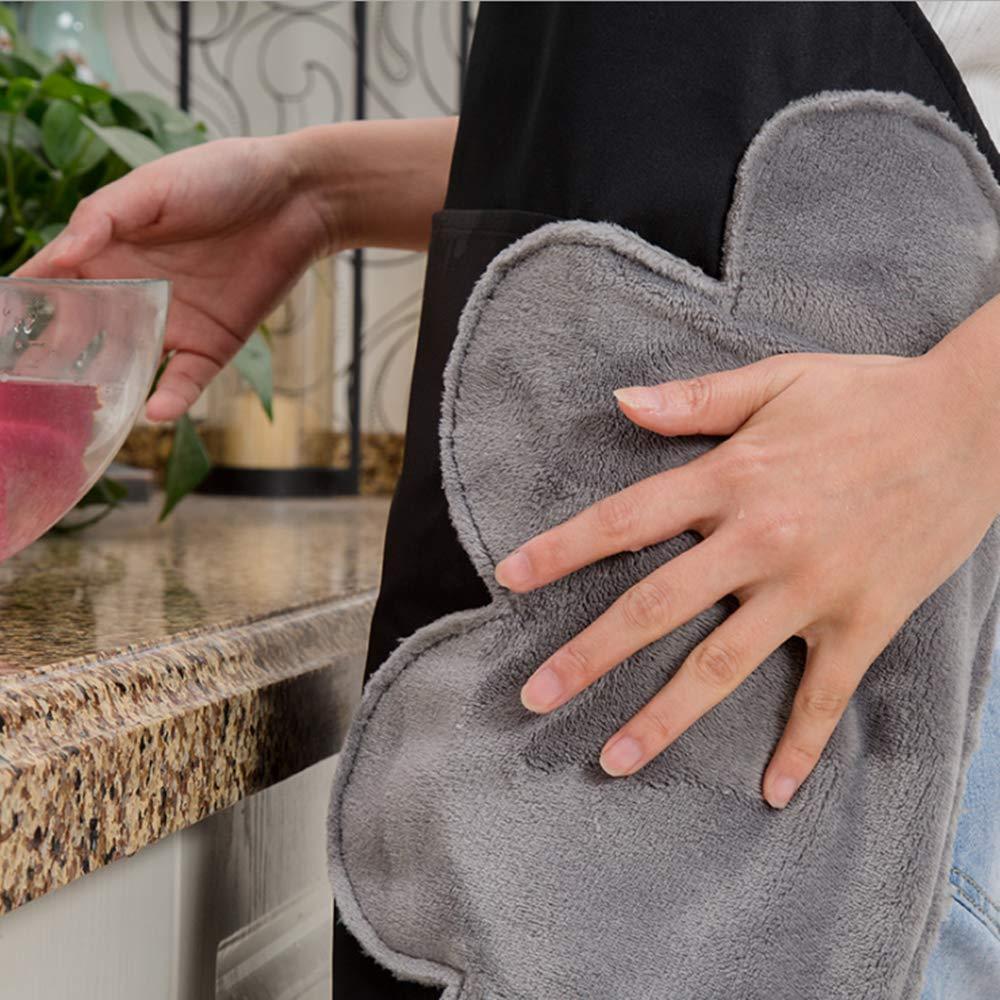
x=44, y=429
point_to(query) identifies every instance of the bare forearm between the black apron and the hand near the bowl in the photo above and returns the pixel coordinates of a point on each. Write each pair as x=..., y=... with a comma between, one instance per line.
x=374, y=183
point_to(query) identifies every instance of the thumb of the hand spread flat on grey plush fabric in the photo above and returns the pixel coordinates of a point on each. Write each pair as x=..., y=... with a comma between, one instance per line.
x=716, y=403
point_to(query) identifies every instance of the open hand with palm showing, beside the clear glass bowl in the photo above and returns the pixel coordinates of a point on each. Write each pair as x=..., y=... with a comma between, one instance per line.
x=229, y=223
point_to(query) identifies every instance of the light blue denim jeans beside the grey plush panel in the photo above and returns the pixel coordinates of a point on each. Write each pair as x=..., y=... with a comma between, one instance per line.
x=965, y=963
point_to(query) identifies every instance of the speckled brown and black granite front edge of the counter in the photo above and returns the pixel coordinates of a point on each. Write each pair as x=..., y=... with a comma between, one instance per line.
x=101, y=757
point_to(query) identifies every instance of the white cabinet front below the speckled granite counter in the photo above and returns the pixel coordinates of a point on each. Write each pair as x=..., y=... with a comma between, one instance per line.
x=240, y=900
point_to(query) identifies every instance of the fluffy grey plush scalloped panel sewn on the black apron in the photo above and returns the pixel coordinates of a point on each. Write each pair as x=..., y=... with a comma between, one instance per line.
x=479, y=847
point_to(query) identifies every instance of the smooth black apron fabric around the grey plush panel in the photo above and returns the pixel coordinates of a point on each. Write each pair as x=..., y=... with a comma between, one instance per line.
x=634, y=113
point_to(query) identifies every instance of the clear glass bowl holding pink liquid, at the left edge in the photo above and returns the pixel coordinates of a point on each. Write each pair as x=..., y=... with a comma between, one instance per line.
x=76, y=362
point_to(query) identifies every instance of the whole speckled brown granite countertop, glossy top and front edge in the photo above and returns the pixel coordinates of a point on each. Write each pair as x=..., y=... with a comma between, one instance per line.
x=153, y=674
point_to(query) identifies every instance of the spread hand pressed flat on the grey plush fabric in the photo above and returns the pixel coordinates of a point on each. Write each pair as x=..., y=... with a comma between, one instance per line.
x=851, y=487
